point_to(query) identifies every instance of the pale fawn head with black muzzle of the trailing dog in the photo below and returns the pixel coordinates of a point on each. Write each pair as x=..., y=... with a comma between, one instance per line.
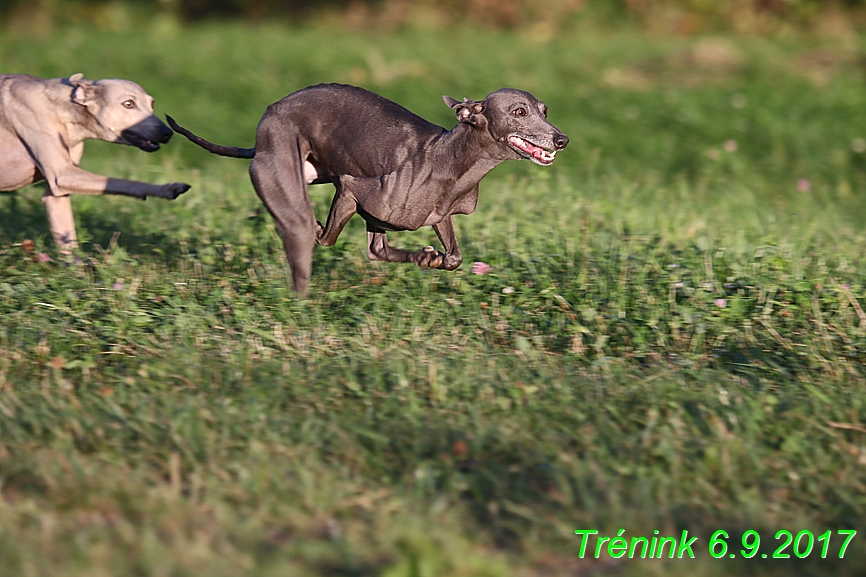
x=121, y=112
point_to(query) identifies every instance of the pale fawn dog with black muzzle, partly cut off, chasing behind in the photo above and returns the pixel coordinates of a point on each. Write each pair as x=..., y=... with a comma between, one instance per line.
x=43, y=125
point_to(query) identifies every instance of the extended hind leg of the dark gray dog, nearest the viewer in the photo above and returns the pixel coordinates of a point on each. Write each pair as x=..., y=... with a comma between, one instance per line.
x=277, y=174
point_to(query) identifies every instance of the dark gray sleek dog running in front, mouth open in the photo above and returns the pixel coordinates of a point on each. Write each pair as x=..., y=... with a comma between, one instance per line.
x=395, y=169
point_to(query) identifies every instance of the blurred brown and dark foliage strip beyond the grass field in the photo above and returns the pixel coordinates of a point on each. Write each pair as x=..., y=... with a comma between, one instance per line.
x=665, y=16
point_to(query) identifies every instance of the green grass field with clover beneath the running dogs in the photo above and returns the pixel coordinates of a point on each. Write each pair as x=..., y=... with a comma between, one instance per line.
x=671, y=338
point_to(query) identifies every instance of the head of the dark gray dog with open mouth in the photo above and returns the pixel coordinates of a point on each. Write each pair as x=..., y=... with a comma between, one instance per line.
x=517, y=121
